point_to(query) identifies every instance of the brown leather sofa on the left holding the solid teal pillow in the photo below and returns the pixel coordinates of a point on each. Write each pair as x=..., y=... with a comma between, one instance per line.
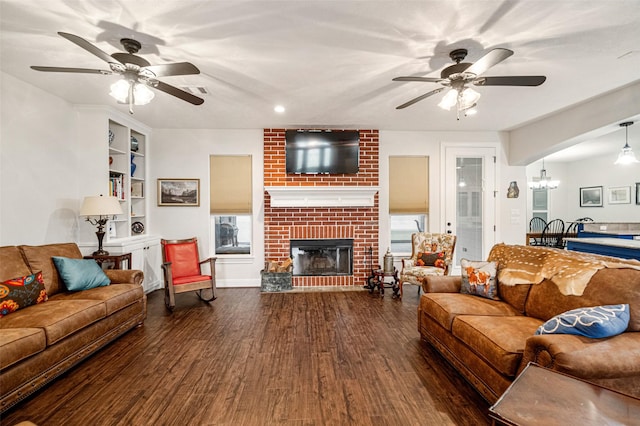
x=40, y=342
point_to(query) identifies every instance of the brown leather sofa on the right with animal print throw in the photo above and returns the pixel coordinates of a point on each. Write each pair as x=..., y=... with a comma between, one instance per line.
x=491, y=341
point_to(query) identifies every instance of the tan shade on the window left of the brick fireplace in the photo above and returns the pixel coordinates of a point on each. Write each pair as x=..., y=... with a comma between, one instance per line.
x=230, y=184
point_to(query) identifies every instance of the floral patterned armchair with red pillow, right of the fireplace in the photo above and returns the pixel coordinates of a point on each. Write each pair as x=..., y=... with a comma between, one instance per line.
x=431, y=254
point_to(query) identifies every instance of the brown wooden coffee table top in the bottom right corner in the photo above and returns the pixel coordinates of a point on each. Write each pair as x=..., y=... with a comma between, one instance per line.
x=539, y=396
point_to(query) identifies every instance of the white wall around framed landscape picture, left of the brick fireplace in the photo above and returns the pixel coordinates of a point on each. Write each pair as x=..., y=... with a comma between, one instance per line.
x=185, y=154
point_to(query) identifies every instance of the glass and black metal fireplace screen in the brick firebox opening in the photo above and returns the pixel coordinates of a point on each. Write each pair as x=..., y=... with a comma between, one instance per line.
x=322, y=257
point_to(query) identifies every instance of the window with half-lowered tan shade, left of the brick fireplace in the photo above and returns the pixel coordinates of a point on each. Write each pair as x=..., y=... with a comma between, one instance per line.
x=231, y=204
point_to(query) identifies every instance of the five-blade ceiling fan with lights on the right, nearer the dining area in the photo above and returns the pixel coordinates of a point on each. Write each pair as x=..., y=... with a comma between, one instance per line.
x=461, y=75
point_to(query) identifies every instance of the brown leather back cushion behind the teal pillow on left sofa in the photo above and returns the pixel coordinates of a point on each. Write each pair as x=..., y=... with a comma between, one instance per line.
x=39, y=259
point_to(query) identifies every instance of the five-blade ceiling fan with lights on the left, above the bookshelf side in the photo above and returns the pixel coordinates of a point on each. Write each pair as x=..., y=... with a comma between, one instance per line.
x=138, y=74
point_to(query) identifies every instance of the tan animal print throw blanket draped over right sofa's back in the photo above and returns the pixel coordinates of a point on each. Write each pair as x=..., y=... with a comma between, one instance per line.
x=569, y=270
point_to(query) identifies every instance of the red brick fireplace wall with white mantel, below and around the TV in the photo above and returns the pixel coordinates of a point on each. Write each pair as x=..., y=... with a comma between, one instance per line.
x=341, y=219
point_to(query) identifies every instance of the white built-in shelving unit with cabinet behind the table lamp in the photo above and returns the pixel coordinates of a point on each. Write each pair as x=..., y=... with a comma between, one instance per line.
x=125, y=142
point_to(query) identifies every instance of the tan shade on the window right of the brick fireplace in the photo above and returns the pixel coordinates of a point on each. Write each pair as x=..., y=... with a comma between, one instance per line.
x=408, y=184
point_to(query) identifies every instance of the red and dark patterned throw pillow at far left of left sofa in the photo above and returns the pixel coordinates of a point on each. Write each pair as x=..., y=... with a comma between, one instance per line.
x=21, y=292
